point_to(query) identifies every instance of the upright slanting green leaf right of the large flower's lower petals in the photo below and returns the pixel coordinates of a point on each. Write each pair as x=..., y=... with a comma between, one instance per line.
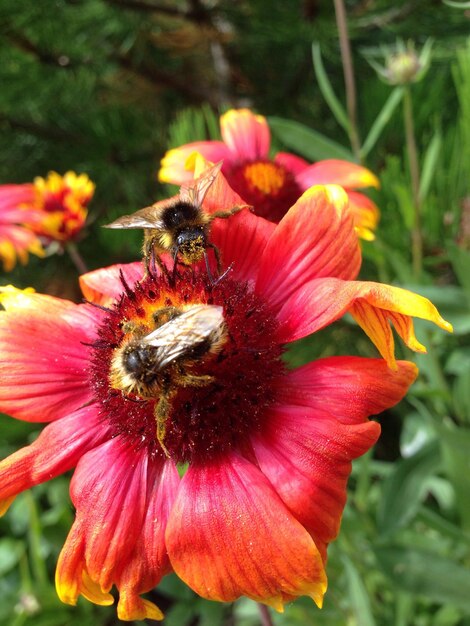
x=405, y=488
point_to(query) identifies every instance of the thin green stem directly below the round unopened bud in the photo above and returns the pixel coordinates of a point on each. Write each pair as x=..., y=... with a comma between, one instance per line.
x=416, y=233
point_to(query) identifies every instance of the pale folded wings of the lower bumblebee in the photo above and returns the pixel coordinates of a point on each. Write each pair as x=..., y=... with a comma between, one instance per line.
x=175, y=338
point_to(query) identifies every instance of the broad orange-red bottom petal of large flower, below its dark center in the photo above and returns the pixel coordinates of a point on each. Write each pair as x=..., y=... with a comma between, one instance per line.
x=229, y=535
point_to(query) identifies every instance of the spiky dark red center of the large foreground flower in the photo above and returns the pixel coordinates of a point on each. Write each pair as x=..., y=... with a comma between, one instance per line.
x=202, y=420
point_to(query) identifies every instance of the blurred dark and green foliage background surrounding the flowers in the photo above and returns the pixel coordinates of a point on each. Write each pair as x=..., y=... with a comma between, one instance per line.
x=105, y=87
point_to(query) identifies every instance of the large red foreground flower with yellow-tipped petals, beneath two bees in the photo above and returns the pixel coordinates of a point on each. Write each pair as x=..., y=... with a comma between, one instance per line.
x=268, y=450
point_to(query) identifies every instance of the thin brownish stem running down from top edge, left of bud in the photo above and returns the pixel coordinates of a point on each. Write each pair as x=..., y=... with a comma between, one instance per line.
x=348, y=70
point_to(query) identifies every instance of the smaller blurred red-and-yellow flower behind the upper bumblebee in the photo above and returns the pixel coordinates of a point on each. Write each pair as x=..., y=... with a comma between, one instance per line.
x=272, y=186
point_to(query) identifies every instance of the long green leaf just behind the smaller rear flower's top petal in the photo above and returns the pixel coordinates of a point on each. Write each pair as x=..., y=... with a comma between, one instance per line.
x=307, y=142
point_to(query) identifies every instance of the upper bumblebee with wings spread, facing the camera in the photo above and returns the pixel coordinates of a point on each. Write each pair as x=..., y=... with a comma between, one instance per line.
x=179, y=225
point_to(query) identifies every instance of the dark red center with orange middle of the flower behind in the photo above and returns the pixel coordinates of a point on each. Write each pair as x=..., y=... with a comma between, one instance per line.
x=268, y=186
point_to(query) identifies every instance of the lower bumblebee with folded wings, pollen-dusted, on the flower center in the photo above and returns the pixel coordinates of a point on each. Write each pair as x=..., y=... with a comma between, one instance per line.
x=156, y=364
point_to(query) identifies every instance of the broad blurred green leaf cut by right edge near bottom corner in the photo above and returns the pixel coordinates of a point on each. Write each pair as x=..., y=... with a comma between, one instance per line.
x=426, y=574
